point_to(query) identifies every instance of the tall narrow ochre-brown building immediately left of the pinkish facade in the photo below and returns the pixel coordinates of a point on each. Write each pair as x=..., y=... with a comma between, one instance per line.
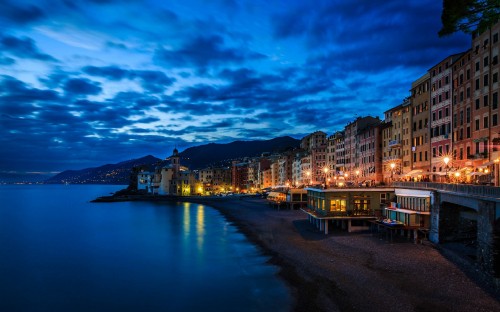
x=420, y=141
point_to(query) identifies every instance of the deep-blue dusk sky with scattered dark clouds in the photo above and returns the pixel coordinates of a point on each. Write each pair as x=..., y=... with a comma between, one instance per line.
x=85, y=83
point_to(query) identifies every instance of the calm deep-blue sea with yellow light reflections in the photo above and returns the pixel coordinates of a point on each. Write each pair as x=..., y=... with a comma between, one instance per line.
x=59, y=252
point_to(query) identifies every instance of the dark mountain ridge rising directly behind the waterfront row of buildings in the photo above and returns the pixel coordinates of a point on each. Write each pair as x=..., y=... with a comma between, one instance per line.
x=202, y=156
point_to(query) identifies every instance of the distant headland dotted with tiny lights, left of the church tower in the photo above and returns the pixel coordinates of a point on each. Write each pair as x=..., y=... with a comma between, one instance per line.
x=108, y=174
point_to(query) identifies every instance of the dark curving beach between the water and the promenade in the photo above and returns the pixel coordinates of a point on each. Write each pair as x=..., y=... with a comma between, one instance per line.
x=357, y=271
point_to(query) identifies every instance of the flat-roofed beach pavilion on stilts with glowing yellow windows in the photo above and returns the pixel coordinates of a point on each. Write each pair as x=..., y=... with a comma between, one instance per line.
x=349, y=208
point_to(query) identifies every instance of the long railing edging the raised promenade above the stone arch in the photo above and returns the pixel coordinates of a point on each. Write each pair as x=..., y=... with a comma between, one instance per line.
x=463, y=189
